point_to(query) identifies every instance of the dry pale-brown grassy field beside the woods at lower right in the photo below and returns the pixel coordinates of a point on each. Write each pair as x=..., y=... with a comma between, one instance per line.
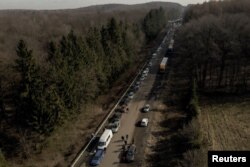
x=225, y=125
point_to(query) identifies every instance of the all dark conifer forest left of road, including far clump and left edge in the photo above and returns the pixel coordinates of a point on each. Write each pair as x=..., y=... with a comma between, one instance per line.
x=38, y=94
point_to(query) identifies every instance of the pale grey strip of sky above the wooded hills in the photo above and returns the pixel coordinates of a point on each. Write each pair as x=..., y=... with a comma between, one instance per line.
x=69, y=4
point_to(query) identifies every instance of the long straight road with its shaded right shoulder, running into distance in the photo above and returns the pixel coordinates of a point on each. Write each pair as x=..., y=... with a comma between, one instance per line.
x=145, y=95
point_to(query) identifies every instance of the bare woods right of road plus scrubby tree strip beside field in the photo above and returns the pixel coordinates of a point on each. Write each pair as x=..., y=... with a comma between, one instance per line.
x=212, y=53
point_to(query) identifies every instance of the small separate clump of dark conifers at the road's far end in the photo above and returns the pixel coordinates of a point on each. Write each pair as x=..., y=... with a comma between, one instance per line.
x=154, y=22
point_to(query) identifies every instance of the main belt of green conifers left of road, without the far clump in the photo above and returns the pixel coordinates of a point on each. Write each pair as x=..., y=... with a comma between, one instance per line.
x=78, y=70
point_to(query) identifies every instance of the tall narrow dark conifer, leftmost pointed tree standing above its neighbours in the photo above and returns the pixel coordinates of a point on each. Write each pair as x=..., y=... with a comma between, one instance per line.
x=30, y=84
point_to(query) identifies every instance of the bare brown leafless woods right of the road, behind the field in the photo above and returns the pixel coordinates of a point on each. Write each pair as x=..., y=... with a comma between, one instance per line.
x=216, y=46
